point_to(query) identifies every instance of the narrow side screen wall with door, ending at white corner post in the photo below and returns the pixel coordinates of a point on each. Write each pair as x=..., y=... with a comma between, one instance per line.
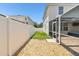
x=56, y=29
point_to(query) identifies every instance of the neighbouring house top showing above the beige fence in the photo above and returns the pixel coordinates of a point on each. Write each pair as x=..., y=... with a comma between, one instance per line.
x=20, y=18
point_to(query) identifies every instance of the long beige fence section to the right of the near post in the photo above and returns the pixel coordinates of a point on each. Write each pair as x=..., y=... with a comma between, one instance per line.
x=19, y=33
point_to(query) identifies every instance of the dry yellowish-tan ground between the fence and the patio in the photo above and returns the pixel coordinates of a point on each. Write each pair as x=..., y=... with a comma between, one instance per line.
x=43, y=48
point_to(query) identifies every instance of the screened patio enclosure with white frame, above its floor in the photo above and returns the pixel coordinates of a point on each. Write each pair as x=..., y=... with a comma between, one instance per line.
x=65, y=25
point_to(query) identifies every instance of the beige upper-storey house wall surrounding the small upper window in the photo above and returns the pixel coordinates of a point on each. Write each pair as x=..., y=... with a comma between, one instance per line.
x=53, y=9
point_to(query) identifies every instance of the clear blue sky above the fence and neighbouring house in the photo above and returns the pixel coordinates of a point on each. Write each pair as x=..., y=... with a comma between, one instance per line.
x=34, y=10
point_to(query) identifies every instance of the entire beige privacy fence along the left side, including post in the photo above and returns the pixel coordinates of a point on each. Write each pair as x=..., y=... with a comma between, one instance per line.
x=13, y=34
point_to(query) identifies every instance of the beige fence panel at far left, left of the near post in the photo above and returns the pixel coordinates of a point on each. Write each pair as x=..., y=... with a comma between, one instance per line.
x=3, y=36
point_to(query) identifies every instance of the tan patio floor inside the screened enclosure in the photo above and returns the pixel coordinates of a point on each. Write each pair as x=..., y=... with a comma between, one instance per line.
x=72, y=44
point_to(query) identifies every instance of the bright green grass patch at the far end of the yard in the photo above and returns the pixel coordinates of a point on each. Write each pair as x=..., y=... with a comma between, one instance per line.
x=40, y=35
